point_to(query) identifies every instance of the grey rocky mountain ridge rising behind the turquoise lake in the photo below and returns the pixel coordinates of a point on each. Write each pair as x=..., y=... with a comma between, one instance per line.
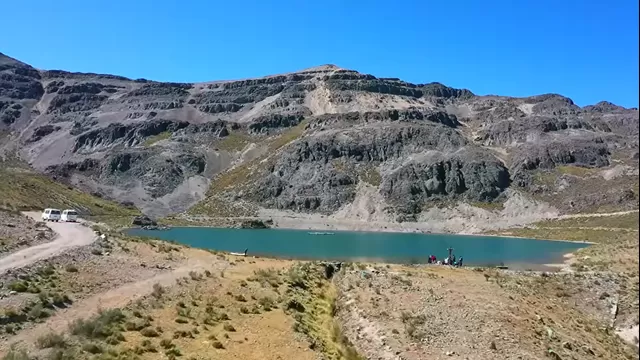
x=324, y=140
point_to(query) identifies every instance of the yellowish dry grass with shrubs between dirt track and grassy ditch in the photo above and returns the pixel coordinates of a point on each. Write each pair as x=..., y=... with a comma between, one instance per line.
x=220, y=317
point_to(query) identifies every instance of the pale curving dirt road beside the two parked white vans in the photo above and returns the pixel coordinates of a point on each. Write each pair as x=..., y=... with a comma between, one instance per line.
x=69, y=235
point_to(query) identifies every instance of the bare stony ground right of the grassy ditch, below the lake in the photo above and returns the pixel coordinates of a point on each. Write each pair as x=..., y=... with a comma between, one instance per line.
x=440, y=313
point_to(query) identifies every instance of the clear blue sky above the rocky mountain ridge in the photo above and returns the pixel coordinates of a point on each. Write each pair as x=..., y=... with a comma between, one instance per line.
x=587, y=50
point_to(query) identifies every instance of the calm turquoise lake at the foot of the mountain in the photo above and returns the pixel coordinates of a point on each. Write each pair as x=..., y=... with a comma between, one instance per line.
x=371, y=246
